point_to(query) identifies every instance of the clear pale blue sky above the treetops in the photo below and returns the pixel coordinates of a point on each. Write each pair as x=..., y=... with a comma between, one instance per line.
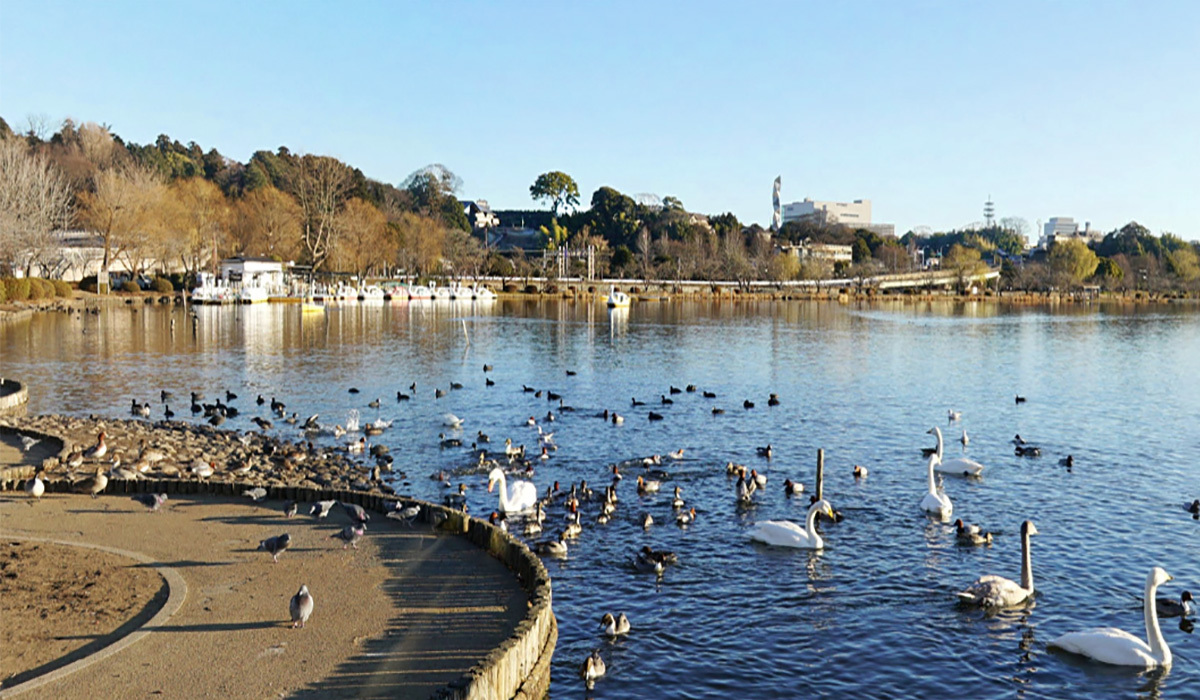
x=1054, y=109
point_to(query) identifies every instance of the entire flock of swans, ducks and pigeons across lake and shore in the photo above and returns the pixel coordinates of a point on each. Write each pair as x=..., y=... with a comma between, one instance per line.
x=519, y=501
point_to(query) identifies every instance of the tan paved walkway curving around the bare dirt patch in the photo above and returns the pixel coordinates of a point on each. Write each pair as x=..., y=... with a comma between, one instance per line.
x=403, y=617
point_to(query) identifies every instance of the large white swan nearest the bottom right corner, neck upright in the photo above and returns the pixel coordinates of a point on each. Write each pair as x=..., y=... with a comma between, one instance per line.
x=1109, y=645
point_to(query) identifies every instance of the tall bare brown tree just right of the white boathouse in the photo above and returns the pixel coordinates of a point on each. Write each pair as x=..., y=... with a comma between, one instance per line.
x=321, y=186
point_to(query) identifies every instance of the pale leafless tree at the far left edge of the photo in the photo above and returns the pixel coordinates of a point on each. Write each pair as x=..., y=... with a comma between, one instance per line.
x=35, y=200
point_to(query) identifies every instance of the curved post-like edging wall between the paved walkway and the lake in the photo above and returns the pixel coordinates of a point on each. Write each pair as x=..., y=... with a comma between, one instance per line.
x=519, y=668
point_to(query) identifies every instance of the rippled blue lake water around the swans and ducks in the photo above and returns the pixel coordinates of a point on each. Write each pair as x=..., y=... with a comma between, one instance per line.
x=874, y=615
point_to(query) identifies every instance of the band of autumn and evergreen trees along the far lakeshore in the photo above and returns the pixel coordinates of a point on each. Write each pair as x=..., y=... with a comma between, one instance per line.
x=177, y=202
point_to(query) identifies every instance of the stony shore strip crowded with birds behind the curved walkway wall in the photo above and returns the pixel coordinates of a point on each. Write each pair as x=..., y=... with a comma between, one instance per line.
x=184, y=450
